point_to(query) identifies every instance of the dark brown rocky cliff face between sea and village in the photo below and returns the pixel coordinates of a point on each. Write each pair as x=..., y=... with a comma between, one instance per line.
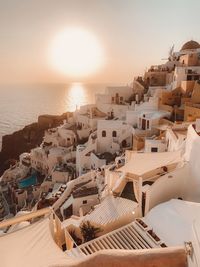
x=27, y=138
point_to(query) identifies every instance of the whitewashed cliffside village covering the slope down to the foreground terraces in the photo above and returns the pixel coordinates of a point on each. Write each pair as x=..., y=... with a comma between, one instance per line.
x=127, y=166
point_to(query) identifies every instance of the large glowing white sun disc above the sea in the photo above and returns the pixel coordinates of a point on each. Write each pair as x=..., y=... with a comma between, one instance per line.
x=76, y=52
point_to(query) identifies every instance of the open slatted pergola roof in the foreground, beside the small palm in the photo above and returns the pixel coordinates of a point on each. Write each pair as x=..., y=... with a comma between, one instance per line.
x=133, y=236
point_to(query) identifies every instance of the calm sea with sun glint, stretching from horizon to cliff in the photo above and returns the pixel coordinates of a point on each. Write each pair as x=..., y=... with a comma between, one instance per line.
x=22, y=104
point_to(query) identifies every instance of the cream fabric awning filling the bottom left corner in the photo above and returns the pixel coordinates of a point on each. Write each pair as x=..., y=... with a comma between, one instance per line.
x=32, y=246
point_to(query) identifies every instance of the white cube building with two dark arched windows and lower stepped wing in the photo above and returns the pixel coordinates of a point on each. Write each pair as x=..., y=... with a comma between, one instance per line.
x=111, y=137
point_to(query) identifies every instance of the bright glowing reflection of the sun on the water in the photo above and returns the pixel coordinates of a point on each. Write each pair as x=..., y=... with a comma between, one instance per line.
x=75, y=96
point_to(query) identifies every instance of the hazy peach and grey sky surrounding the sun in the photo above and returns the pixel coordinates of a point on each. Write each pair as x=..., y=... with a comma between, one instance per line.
x=133, y=33
